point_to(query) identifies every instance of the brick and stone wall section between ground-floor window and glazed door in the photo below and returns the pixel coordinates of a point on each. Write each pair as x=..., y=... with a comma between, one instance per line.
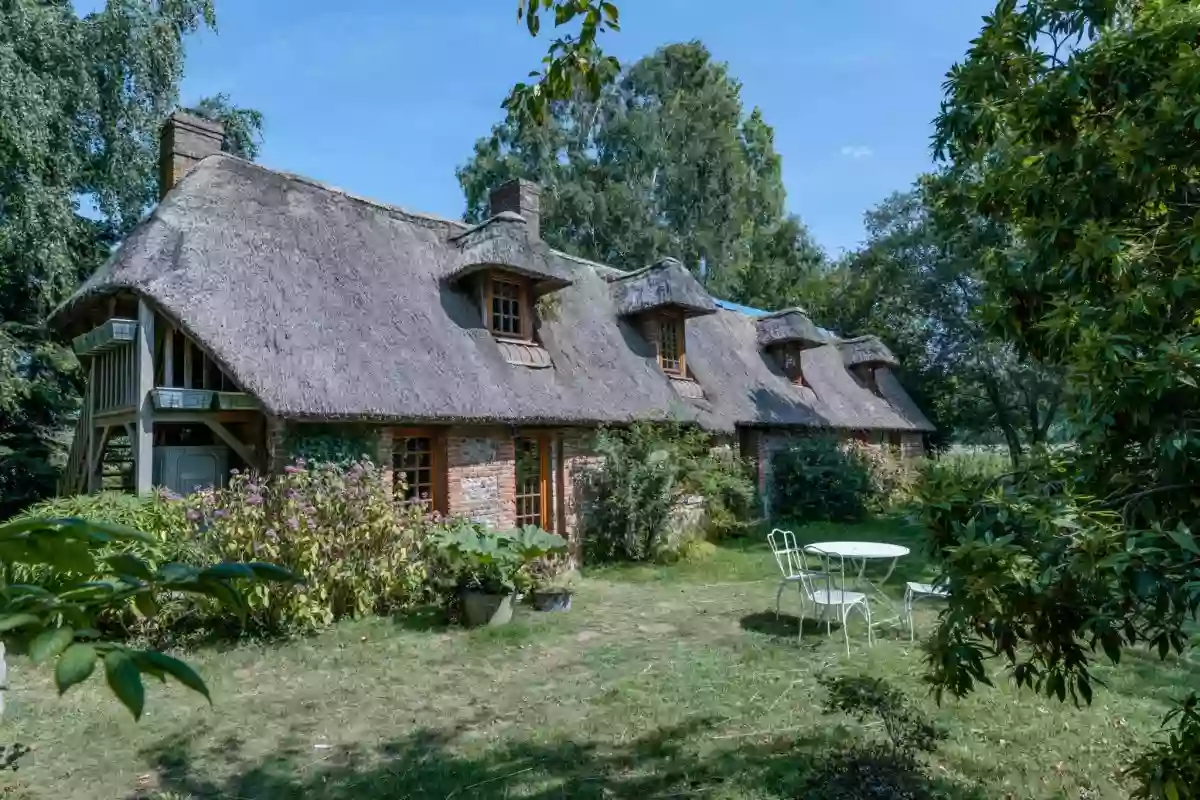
x=482, y=476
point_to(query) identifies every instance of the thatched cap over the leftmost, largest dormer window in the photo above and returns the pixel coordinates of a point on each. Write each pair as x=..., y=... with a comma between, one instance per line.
x=505, y=243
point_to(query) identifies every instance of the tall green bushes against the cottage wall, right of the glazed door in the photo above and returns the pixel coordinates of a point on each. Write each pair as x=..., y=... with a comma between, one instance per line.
x=645, y=476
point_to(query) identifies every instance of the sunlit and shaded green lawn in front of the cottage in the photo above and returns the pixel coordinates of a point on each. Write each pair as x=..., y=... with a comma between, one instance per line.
x=662, y=682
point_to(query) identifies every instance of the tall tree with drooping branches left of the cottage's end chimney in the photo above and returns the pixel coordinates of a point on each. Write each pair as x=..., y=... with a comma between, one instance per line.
x=83, y=100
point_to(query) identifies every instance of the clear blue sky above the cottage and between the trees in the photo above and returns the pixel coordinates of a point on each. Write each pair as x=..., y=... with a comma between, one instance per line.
x=386, y=98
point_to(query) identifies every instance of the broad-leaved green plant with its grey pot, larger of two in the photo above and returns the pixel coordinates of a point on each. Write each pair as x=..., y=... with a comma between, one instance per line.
x=489, y=567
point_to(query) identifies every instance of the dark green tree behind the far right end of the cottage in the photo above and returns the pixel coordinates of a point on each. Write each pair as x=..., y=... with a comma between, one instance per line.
x=917, y=279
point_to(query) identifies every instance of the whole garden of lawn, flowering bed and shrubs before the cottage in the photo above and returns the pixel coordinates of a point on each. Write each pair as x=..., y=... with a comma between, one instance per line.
x=663, y=670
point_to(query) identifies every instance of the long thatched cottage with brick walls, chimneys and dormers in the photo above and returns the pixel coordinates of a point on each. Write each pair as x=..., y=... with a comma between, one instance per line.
x=255, y=310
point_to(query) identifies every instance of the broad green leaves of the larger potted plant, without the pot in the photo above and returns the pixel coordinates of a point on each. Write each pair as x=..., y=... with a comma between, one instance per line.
x=477, y=558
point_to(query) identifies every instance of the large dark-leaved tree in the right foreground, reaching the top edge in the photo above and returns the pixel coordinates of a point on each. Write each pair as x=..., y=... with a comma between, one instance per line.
x=1076, y=125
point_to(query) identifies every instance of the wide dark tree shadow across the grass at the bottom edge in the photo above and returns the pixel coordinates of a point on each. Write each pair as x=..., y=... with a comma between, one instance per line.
x=443, y=765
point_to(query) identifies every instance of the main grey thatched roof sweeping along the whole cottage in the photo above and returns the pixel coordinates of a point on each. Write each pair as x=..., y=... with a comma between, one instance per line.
x=328, y=306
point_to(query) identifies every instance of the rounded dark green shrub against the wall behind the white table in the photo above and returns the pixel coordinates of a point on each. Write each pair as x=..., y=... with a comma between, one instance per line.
x=820, y=479
